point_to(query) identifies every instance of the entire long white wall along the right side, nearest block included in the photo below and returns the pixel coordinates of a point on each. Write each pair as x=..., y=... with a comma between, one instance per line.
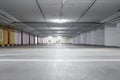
x=108, y=35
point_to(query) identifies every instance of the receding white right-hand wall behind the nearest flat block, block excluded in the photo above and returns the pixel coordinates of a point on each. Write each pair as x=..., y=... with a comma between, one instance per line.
x=94, y=37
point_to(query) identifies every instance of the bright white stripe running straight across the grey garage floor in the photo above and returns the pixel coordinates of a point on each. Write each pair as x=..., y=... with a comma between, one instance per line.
x=60, y=60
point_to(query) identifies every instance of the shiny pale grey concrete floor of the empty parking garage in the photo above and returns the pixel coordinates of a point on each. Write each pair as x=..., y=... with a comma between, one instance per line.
x=59, y=62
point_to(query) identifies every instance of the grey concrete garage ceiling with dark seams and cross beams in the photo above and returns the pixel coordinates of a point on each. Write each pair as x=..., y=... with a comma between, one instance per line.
x=39, y=14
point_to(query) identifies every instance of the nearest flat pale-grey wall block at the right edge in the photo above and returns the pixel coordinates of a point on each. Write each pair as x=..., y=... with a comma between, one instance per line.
x=111, y=35
